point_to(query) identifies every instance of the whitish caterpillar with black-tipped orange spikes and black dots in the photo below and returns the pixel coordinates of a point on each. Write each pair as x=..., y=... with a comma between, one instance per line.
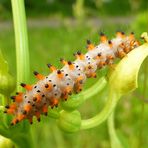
x=61, y=83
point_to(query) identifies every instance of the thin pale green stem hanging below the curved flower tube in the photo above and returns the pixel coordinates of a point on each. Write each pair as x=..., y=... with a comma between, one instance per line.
x=115, y=143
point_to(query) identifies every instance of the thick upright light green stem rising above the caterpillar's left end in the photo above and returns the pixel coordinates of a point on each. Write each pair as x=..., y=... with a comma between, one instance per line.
x=21, y=41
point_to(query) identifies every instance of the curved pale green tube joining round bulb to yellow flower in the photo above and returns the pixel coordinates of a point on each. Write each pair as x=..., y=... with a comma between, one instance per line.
x=104, y=114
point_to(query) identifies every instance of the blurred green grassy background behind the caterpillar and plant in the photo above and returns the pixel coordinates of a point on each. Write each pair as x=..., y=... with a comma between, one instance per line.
x=58, y=28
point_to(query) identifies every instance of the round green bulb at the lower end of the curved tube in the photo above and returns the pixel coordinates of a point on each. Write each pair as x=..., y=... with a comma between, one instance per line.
x=70, y=121
